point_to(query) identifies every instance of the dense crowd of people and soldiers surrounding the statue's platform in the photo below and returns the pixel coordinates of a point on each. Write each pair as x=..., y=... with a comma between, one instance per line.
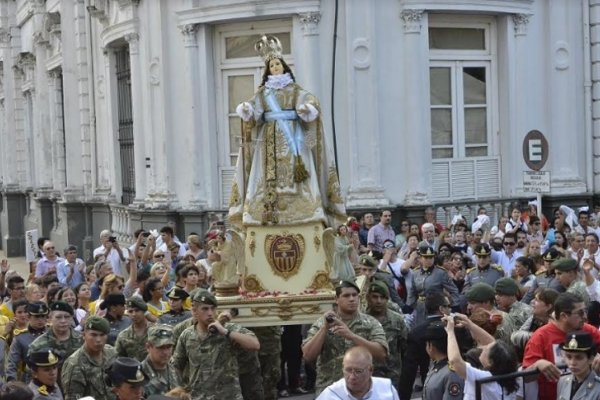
x=452, y=305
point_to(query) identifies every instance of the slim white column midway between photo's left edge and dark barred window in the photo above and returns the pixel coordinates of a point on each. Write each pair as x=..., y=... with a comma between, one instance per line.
x=56, y=128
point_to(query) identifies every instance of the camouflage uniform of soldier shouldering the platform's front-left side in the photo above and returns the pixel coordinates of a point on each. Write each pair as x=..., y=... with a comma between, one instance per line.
x=212, y=362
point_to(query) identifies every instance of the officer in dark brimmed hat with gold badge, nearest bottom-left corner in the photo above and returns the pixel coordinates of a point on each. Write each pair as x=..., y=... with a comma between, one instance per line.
x=44, y=370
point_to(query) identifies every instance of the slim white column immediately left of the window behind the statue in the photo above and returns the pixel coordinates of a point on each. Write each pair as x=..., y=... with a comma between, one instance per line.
x=194, y=154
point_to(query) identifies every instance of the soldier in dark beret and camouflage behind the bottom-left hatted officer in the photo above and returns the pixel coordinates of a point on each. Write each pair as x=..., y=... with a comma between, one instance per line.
x=61, y=337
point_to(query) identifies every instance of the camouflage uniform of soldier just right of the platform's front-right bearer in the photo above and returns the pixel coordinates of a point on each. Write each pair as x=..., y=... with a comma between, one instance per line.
x=396, y=334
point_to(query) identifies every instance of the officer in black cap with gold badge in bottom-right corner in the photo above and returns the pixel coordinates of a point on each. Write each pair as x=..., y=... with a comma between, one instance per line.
x=578, y=352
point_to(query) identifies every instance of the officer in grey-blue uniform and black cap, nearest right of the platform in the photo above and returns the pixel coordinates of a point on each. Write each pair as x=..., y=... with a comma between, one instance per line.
x=428, y=278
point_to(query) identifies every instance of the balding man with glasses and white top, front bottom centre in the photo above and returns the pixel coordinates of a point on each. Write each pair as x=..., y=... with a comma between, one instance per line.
x=358, y=382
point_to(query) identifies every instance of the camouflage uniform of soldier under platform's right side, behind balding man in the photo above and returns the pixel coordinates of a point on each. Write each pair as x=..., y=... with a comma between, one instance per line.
x=329, y=362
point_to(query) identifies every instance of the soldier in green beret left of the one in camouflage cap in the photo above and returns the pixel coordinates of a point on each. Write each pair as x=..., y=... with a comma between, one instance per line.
x=83, y=372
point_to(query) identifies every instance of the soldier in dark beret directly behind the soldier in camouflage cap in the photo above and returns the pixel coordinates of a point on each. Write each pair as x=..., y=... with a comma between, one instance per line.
x=131, y=342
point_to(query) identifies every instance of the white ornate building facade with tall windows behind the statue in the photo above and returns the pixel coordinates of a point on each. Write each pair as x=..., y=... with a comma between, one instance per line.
x=120, y=114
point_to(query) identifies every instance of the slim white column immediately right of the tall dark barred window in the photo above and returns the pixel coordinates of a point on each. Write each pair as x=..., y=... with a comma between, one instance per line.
x=138, y=121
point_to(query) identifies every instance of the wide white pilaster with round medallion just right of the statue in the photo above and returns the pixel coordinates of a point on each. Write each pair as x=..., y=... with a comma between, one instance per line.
x=365, y=189
